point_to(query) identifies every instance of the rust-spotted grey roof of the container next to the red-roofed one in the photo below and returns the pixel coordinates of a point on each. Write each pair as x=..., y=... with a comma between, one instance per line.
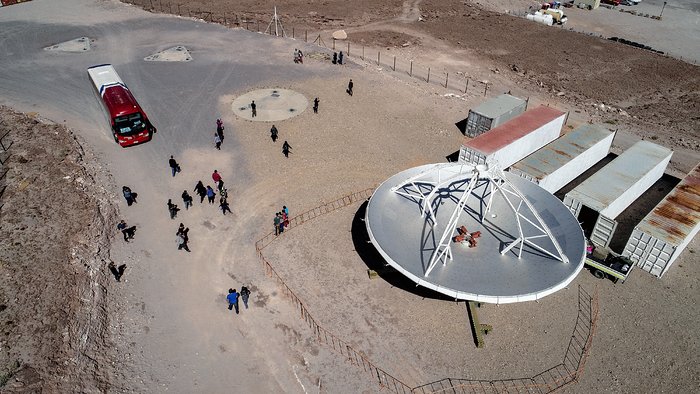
x=559, y=152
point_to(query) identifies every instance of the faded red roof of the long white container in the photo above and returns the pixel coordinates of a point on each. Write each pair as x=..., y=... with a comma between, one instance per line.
x=513, y=130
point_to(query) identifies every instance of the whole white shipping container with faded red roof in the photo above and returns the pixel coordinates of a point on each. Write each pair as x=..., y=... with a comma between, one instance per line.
x=512, y=141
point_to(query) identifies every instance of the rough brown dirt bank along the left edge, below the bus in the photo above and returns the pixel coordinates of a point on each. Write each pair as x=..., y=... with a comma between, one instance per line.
x=53, y=309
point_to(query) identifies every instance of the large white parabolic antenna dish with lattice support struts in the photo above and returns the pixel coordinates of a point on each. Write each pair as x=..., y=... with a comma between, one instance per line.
x=529, y=246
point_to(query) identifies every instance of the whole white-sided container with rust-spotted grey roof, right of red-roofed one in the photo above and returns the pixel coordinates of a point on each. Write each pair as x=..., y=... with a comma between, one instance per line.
x=561, y=161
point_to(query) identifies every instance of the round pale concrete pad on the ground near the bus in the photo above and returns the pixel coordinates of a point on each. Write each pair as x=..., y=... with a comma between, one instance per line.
x=271, y=105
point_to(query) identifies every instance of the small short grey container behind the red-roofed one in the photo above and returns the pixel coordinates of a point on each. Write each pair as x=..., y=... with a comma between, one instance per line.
x=493, y=113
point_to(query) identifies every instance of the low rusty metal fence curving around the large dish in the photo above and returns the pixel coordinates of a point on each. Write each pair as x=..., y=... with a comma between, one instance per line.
x=552, y=379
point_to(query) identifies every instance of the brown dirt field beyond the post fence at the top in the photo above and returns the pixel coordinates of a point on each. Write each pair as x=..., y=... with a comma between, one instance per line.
x=658, y=95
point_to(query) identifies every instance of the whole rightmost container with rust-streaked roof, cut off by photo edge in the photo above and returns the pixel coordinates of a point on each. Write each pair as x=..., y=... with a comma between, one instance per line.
x=661, y=236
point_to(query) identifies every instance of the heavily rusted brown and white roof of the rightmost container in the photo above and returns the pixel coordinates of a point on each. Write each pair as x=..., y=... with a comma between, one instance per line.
x=678, y=215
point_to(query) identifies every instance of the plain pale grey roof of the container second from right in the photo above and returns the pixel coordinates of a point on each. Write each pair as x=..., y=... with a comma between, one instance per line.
x=612, y=181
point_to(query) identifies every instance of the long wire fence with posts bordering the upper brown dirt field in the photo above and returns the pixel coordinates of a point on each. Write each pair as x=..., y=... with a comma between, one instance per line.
x=453, y=80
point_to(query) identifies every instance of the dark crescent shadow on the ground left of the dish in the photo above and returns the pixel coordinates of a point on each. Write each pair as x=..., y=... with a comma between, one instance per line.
x=374, y=261
